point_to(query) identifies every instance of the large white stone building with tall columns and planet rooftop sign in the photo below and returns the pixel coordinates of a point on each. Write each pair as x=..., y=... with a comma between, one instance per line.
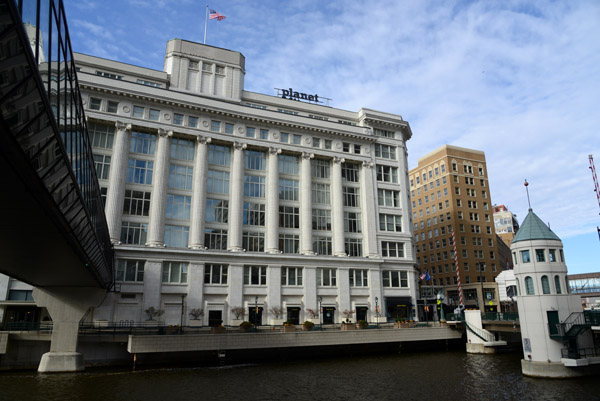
x=217, y=197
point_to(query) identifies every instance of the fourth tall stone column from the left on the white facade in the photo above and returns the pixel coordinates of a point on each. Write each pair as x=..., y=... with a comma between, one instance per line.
x=234, y=236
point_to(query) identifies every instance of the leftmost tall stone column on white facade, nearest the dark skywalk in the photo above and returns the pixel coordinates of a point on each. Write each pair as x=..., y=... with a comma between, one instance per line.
x=116, y=183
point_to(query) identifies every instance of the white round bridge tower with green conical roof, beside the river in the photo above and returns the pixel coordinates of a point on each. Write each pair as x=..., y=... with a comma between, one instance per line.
x=548, y=314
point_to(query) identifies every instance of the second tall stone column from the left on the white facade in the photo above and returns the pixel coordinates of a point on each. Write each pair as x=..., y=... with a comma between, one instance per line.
x=158, y=199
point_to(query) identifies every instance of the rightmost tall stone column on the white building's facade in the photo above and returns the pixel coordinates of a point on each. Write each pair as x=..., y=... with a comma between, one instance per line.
x=368, y=197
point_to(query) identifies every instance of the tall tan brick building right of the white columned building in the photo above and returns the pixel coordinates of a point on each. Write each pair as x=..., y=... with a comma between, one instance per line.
x=450, y=191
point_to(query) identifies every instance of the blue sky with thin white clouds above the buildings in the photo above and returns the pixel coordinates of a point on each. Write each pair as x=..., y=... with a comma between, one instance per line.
x=519, y=80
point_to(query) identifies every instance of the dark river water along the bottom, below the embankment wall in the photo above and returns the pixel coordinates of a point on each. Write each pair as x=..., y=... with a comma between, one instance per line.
x=451, y=375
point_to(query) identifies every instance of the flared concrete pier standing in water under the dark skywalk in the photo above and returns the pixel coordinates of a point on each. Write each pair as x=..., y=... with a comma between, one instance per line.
x=66, y=305
